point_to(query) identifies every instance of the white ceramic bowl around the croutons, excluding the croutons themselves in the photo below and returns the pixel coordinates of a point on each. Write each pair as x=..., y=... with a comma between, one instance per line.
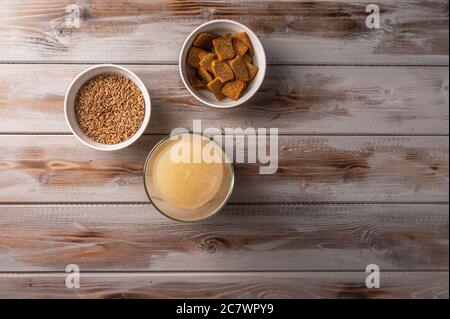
x=221, y=27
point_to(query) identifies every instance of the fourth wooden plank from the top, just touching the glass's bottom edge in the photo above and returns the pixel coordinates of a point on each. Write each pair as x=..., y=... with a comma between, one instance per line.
x=242, y=237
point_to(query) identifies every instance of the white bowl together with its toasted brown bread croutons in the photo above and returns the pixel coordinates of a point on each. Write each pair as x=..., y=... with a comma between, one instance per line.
x=222, y=63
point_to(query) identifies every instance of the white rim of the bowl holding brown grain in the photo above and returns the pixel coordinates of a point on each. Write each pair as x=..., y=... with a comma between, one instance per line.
x=144, y=124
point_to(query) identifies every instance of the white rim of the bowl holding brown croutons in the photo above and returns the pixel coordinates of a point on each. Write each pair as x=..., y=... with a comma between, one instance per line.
x=180, y=61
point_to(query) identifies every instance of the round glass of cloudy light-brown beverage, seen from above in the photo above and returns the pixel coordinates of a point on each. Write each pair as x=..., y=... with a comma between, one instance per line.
x=188, y=179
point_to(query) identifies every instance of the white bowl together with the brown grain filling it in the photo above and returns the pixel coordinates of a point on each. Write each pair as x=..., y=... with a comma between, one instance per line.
x=107, y=107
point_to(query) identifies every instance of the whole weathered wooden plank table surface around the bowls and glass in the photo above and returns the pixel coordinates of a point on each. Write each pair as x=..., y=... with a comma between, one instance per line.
x=363, y=178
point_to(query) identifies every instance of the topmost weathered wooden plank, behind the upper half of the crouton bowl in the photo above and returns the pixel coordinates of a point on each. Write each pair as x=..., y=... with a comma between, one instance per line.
x=412, y=31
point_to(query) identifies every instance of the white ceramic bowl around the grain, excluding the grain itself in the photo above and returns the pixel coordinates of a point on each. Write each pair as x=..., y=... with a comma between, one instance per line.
x=79, y=81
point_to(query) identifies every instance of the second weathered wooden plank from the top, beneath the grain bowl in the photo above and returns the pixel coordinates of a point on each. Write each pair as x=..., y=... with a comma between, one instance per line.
x=304, y=100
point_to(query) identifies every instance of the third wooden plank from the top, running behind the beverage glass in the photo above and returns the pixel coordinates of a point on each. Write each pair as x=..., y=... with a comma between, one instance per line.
x=60, y=169
